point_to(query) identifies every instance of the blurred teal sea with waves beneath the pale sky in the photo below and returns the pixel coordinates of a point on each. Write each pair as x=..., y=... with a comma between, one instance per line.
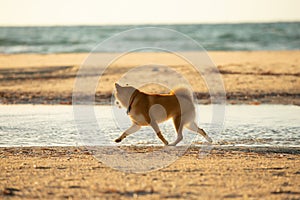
x=212, y=37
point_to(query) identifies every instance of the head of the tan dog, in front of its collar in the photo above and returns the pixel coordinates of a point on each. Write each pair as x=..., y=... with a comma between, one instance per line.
x=123, y=94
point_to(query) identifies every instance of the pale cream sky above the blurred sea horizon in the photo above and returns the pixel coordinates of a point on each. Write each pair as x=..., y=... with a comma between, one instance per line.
x=115, y=12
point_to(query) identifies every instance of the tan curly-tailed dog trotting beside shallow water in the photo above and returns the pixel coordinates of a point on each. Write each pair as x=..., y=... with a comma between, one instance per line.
x=151, y=109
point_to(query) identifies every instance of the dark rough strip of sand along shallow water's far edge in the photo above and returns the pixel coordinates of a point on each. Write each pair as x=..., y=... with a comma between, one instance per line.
x=105, y=99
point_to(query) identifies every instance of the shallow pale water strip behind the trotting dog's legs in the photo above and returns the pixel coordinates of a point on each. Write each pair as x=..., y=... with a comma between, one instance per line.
x=244, y=125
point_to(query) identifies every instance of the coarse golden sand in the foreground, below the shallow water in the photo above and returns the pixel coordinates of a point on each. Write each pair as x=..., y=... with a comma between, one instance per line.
x=72, y=173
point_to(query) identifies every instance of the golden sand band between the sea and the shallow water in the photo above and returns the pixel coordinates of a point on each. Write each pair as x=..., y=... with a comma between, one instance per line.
x=249, y=77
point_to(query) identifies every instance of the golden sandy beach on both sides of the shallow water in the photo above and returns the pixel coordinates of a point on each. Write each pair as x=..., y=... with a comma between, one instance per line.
x=250, y=77
